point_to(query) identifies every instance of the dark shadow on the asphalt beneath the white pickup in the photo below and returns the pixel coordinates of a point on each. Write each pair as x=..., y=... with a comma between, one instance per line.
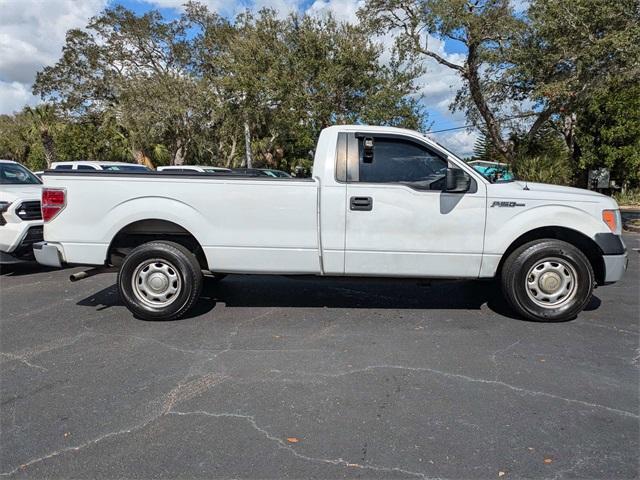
x=287, y=292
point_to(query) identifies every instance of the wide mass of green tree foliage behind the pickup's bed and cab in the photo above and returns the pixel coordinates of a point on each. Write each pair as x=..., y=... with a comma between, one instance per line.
x=184, y=90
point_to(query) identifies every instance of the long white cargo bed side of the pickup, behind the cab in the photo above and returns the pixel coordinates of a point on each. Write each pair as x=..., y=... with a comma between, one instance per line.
x=247, y=224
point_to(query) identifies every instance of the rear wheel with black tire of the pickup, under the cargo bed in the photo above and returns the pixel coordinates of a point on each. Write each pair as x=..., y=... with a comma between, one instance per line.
x=183, y=274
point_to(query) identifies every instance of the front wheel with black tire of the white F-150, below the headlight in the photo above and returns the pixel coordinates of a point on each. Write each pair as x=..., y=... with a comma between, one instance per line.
x=519, y=280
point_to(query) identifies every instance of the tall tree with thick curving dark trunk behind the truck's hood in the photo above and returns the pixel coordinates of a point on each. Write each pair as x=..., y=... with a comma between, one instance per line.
x=485, y=27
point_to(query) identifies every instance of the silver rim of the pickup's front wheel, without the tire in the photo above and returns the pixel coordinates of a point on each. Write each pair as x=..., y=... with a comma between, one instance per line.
x=551, y=283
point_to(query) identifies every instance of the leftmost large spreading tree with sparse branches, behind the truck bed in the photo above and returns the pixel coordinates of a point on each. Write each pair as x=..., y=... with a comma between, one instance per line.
x=132, y=69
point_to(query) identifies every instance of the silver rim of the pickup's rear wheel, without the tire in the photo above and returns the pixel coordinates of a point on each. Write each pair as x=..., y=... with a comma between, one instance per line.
x=156, y=283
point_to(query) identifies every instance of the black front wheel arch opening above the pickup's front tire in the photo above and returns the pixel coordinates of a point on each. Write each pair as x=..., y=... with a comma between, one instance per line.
x=579, y=240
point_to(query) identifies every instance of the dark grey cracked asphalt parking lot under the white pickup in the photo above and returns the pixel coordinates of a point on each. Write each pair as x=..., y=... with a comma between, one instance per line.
x=273, y=377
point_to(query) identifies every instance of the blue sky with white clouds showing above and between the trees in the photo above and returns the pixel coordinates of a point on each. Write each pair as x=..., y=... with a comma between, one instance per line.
x=32, y=34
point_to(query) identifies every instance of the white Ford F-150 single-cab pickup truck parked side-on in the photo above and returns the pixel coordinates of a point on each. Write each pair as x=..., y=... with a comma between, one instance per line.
x=383, y=202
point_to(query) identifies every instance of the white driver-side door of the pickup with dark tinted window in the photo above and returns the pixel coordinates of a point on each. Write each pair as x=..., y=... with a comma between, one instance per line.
x=399, y=219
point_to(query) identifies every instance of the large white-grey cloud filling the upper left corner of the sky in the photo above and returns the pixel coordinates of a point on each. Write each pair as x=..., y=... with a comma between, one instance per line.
x=32, y=33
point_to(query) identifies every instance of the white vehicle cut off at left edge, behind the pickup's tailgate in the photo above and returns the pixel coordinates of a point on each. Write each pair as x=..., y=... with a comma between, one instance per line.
x=20, y=217
